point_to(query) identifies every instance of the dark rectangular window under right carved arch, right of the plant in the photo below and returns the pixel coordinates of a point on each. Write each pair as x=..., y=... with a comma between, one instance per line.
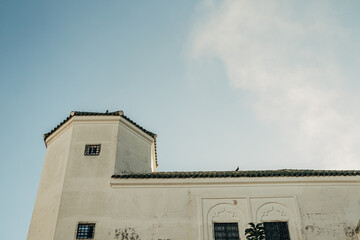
x=276, y=231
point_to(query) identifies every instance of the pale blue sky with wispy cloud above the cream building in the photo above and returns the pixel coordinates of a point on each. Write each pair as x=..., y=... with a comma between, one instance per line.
x=259, y=85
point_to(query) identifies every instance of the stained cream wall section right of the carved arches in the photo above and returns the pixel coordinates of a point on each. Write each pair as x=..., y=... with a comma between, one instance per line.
x=330, y=212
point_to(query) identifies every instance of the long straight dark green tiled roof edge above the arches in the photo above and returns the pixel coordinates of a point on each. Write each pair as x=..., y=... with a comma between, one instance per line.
x=239, y=174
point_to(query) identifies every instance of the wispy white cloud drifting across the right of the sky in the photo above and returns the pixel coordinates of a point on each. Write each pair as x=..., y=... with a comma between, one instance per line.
x=286, y=58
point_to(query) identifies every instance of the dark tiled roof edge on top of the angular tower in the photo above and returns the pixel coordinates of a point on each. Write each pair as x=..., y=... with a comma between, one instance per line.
x=107, y=113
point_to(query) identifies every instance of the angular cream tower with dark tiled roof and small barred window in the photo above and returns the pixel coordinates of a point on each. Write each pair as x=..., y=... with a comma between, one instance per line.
x=82, y=153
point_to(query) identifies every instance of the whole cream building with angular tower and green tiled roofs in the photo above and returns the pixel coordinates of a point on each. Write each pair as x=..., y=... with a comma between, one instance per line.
x=100, y=182
